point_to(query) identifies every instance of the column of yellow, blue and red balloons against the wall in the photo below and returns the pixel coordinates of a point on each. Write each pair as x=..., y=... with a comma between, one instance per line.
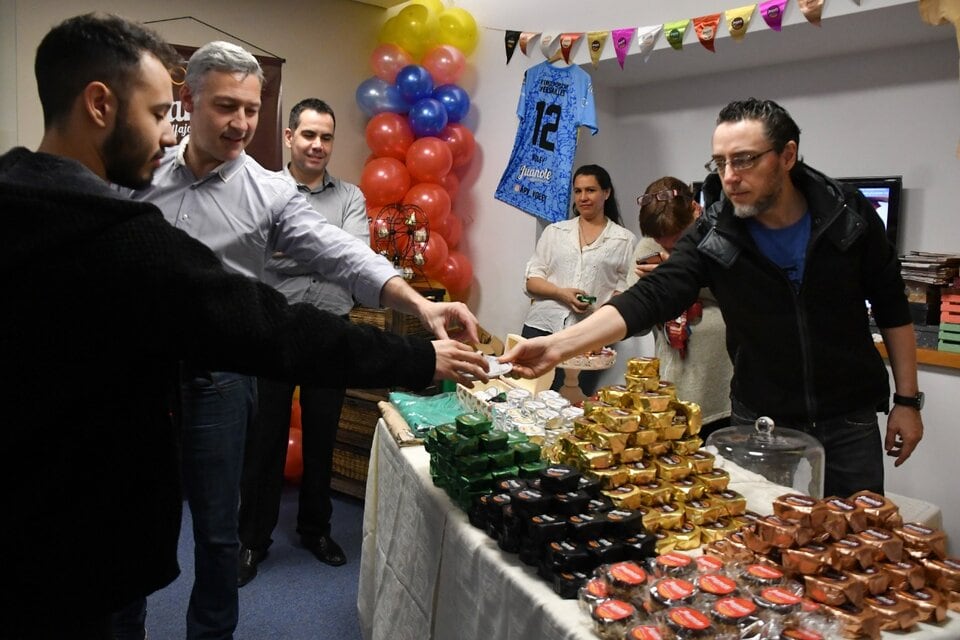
x=418, y=141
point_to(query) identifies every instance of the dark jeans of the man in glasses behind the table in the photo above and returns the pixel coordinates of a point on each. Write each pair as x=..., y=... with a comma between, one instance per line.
x=851, y=444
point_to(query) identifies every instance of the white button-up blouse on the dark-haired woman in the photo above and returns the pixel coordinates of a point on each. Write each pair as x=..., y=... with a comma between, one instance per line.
x=600, y=269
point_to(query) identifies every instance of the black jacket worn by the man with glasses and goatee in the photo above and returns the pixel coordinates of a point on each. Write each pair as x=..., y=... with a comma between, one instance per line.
x=801, y=355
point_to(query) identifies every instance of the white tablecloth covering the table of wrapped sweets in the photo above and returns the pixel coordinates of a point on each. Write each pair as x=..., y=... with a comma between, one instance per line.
x=427, y=573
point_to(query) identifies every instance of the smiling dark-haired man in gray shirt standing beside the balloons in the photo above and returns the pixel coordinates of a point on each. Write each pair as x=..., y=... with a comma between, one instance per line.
x=310, y=138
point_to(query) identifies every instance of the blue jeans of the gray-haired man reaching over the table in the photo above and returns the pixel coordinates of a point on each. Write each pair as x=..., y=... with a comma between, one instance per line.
x=217, y=408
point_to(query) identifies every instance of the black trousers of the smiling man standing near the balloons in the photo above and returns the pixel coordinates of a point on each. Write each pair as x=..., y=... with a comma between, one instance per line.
x=266, y=454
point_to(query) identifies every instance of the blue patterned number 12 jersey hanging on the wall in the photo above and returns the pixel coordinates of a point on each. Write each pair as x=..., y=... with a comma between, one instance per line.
x=554, y=103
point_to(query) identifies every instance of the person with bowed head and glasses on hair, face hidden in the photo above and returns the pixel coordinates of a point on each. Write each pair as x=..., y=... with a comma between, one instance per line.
x=692, y=347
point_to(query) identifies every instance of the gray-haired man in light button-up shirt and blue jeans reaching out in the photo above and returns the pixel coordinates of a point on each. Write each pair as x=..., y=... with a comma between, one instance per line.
x=208, y=187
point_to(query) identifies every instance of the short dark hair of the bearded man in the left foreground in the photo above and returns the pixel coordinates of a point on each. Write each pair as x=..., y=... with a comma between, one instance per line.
x=89, y=48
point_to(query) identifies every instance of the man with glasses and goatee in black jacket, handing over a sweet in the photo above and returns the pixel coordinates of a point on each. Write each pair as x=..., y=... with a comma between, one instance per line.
x=791, y=258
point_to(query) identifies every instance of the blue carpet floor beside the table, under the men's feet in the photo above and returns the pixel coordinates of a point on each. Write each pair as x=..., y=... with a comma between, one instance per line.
x=294, y=597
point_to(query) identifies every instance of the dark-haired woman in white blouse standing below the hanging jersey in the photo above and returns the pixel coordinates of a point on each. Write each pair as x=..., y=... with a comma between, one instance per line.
x=579, y=263
